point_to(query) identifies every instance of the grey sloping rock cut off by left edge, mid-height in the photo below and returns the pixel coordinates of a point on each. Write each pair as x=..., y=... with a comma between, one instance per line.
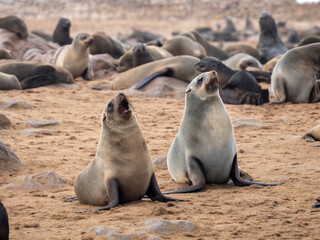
x=8, y=159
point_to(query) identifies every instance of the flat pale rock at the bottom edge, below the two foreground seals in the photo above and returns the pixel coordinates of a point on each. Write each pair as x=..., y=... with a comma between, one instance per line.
x=165, y=227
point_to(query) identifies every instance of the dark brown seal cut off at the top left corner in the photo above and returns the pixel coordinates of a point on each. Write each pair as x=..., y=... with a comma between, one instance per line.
x=14, y=24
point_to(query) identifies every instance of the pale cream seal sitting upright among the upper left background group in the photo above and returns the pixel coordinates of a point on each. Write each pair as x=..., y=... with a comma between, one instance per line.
x=75, y=57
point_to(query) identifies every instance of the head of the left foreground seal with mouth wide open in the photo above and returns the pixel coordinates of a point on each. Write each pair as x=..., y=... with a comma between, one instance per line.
x=118, y=110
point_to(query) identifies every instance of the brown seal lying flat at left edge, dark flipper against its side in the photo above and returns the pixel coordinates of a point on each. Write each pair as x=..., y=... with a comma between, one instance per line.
x=31, y=75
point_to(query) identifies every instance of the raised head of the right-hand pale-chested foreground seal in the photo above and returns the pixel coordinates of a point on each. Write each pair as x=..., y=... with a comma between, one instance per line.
x=204, y=85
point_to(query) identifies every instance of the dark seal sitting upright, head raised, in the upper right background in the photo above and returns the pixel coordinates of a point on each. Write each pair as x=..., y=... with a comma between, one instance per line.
x=270, y=44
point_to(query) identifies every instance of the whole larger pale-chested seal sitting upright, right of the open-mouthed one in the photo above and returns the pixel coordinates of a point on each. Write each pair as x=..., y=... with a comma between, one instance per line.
x=204, y=150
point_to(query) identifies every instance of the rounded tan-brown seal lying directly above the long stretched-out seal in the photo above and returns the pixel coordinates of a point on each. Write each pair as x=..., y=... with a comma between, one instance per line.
x=181, y=45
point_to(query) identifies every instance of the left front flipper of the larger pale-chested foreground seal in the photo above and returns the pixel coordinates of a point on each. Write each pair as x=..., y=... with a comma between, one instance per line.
x=196, y=176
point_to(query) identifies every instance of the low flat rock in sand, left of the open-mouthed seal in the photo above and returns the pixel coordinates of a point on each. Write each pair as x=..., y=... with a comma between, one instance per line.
x=40, y=181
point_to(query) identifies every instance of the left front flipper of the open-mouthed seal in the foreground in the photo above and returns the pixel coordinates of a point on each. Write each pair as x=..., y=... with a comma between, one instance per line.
x=113, y=196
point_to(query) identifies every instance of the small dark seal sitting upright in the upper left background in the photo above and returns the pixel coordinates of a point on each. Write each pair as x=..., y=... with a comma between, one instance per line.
x=61, y=33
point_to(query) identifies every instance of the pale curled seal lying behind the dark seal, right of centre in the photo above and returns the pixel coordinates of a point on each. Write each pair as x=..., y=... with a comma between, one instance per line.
x=241, y=61
